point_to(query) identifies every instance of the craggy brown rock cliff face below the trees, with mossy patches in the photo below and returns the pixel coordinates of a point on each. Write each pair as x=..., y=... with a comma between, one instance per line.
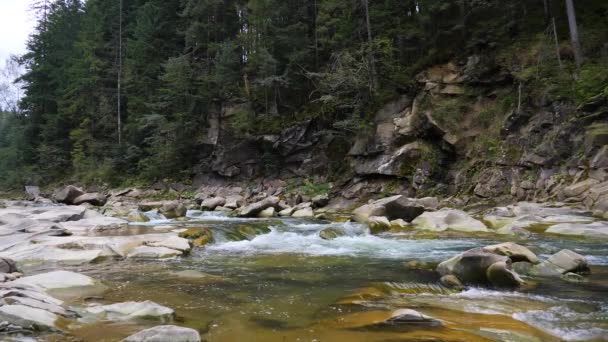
x=468, y=130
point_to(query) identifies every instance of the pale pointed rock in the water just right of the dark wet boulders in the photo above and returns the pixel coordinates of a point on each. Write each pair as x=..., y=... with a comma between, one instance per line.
x=560, y=263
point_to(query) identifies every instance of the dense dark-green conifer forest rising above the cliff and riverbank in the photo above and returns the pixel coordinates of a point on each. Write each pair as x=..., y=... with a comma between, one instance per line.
x=120, y=91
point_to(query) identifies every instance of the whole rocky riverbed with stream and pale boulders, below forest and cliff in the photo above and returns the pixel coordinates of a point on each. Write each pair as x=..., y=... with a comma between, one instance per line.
x=238, y=267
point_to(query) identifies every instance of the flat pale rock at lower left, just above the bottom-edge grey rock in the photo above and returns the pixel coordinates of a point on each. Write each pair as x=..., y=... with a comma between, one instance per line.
x=132, y=310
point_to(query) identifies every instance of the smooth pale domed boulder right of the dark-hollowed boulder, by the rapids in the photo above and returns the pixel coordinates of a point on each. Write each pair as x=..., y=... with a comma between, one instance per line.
x=448, y=219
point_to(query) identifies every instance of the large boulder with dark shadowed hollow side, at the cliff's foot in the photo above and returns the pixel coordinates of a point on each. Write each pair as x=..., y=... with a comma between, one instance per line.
x=395, y=207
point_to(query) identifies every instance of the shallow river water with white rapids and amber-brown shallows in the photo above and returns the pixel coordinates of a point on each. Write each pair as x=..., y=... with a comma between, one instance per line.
x=291, y=285
